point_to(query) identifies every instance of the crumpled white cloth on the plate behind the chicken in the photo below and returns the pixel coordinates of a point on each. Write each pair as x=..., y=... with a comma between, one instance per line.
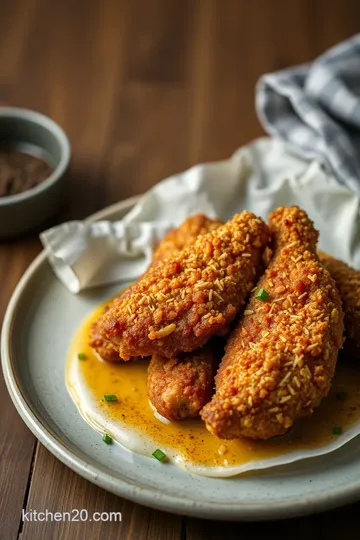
x=259, y=177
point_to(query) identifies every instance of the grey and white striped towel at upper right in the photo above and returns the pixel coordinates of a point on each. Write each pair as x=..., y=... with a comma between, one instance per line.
x=316, y=109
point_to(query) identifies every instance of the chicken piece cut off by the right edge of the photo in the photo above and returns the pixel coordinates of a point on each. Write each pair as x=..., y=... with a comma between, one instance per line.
x=347, y=280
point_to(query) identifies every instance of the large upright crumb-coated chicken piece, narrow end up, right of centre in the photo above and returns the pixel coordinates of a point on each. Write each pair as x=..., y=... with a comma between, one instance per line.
x=281, y=357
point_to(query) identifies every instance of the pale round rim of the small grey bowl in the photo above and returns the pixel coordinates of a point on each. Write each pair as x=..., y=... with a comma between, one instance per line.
x=31, y=116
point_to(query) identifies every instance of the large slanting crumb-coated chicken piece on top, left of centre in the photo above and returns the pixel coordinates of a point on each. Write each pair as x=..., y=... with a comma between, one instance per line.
x=178, y=305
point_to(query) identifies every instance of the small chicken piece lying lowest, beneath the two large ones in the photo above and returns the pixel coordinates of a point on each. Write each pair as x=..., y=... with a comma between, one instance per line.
x=180, y=387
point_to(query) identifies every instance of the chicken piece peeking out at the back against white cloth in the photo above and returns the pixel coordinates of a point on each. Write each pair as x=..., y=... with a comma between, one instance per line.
x=184, y=236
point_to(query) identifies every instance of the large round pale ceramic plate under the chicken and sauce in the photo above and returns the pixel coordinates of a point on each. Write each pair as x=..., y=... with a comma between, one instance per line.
x=38, y=326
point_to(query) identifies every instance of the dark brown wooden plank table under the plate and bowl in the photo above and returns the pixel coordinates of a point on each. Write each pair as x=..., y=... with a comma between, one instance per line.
x=144, y=89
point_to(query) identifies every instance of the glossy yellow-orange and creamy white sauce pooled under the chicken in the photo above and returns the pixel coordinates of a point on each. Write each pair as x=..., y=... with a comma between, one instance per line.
x=132, y=422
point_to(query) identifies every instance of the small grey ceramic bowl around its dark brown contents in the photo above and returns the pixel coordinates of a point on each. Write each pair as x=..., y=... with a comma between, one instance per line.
x=32, y=132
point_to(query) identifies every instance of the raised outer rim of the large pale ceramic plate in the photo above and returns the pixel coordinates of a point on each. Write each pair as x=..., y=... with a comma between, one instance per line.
x=146, y=496
